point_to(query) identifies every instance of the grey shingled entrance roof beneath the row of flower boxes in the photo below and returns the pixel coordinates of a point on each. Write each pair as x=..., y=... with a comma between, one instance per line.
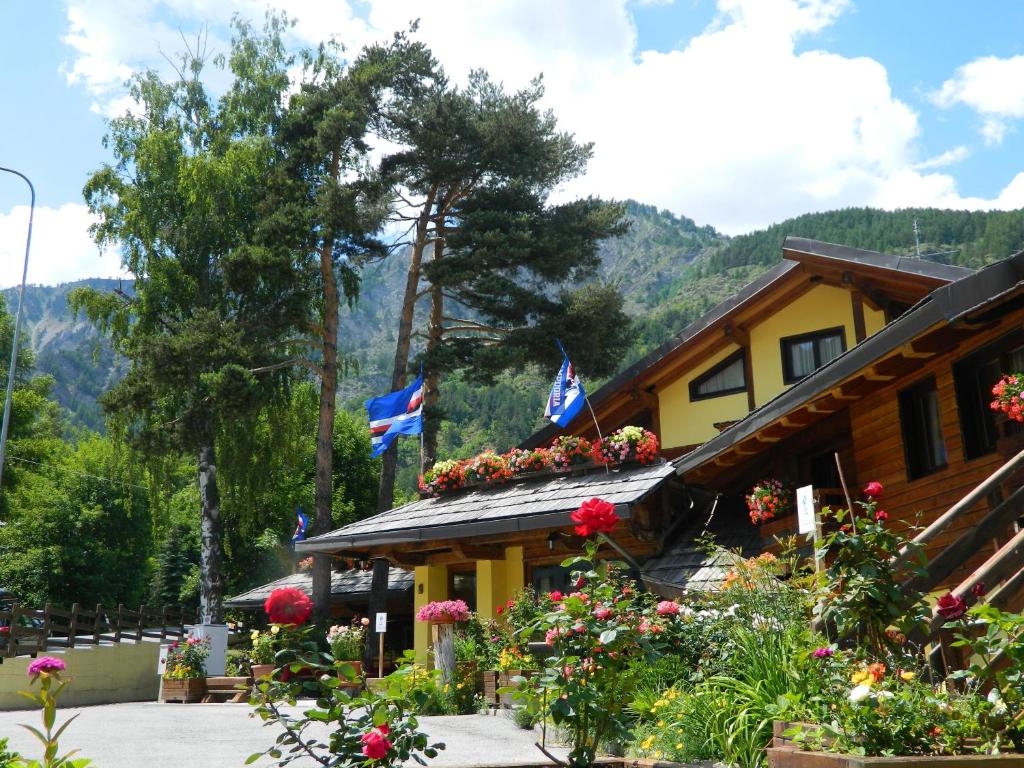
x=527, y=504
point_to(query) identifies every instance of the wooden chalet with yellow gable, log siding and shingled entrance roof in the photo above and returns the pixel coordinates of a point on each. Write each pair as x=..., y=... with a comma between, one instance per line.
x=885, y=360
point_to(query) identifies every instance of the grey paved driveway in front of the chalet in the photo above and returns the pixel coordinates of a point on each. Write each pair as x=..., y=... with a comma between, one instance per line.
x=163, y=736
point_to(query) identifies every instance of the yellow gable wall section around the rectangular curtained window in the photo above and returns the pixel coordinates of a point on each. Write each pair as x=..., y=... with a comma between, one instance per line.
x=822, y=308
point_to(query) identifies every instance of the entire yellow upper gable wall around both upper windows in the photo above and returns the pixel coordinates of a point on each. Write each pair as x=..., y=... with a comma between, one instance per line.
x=688, y=423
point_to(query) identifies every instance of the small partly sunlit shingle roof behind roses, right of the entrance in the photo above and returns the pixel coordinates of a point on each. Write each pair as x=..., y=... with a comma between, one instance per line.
x=685, y=566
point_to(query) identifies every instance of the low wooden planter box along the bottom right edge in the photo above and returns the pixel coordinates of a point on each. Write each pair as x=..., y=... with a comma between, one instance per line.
x=784, y=754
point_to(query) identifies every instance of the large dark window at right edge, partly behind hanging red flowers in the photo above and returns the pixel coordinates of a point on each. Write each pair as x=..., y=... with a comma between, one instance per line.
x=974, y=378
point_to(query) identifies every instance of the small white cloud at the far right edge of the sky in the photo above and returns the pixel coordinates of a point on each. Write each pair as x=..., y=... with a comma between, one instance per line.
x=992, y=87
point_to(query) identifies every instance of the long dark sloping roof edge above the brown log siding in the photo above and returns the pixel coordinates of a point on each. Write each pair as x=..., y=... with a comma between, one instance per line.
x=968, y=296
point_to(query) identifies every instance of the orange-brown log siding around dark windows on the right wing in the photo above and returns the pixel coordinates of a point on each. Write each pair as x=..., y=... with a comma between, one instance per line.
x=879, y=454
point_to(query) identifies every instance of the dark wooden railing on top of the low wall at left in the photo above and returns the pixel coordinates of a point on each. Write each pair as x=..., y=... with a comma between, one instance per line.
x=27, y=631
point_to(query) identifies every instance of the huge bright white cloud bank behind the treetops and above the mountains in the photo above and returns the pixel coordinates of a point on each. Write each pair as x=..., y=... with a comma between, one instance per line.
x=736, y=129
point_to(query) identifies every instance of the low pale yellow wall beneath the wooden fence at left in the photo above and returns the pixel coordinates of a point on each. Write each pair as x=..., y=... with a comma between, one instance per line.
x=126, y=672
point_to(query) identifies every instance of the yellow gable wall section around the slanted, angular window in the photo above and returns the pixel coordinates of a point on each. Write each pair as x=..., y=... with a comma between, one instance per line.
x=687, y=423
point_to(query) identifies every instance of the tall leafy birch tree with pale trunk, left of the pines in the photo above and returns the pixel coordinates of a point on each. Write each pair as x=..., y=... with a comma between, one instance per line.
x=217, y=289
